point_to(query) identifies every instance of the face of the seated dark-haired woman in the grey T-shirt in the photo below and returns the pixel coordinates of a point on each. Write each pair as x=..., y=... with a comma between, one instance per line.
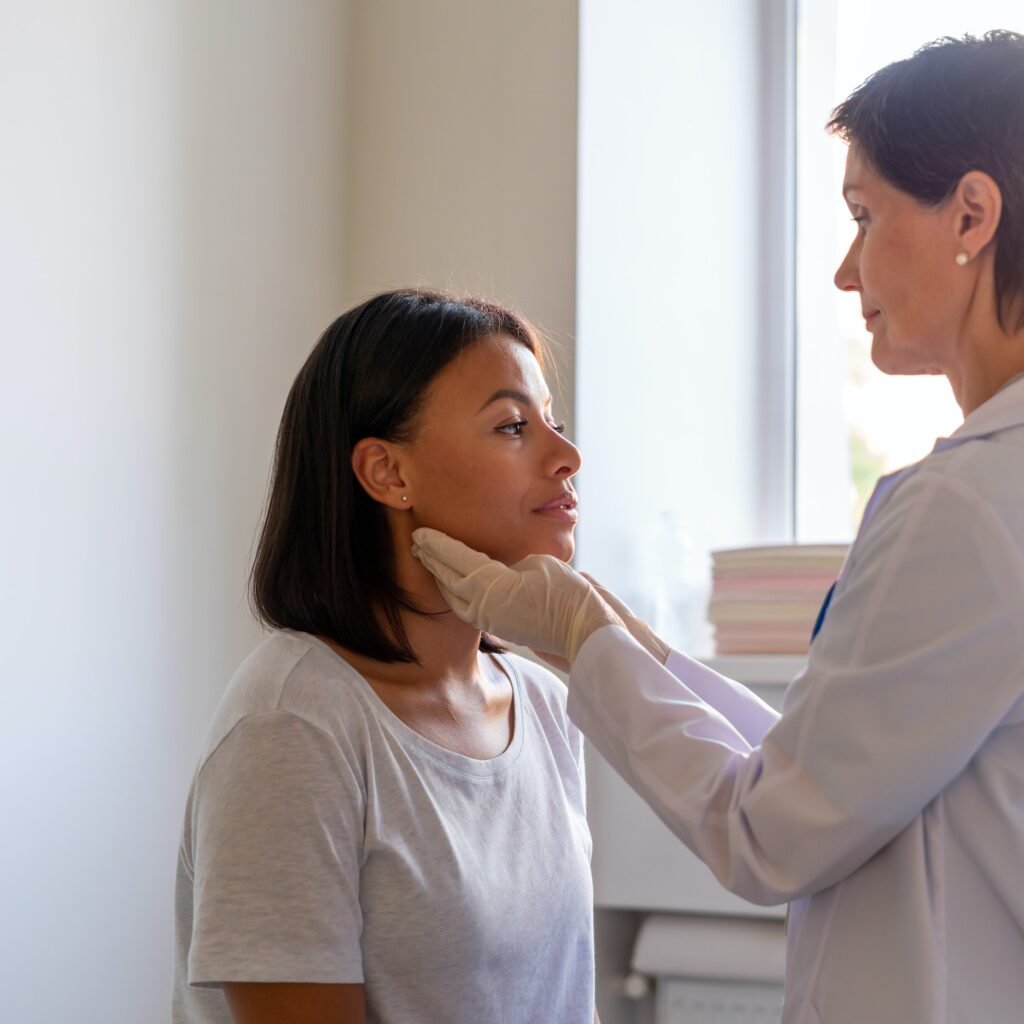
x=488, y=464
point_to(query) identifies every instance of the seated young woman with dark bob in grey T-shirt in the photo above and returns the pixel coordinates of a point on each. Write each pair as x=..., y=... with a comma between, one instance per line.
x=388, y=822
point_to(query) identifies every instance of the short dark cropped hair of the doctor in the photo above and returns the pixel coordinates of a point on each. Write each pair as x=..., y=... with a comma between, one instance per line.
x=957, y=106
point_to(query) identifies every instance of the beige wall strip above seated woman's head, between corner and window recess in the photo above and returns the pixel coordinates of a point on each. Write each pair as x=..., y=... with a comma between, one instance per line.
x=463, y=149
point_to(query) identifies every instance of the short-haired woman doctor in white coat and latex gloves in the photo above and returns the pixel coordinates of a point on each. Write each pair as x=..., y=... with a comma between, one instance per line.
x=886, y=803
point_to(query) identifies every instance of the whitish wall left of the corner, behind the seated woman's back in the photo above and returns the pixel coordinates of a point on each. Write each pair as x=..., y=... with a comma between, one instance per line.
x=172, y=245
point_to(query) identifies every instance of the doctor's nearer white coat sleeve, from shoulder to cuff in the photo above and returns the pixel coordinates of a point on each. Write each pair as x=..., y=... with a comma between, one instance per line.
x=921, y=659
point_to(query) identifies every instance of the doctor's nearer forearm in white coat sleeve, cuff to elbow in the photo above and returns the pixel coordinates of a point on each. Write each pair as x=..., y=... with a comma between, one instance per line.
x=765, y=830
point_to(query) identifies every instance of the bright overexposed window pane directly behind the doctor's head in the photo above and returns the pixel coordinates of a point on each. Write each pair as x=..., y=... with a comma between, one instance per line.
x=852, y=422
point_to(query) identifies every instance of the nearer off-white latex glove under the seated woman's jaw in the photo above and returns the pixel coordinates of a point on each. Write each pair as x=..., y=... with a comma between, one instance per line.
x=540, y=603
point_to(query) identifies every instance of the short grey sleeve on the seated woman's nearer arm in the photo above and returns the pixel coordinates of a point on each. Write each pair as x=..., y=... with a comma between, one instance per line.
x=278, y=825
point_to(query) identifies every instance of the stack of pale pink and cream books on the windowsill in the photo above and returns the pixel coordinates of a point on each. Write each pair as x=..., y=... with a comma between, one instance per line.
x=765, y=601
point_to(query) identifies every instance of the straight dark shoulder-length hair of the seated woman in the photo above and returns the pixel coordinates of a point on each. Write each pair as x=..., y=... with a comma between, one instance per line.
x=324, y=562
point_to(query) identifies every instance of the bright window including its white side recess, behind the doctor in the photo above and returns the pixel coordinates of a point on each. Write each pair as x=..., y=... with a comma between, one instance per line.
x=710, y=226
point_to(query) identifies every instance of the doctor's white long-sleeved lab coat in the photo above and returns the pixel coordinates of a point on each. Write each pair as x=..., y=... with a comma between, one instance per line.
x=887, y=802
